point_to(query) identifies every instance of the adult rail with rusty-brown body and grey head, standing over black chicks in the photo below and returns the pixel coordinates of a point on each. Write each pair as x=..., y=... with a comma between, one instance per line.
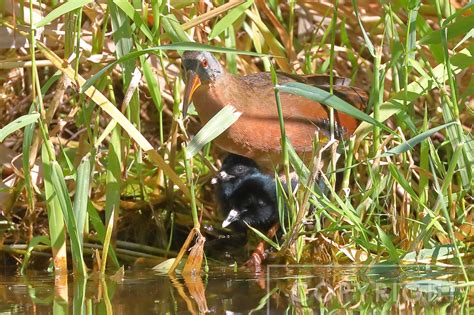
x=256, y=134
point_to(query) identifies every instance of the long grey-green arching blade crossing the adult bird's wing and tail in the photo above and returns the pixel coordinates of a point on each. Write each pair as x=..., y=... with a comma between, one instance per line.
x=322, y=96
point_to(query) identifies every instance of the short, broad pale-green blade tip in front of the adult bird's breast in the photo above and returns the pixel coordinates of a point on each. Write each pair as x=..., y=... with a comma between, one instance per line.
x=214, y=127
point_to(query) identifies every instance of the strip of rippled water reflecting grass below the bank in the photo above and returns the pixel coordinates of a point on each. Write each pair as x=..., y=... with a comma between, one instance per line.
x=278, y=290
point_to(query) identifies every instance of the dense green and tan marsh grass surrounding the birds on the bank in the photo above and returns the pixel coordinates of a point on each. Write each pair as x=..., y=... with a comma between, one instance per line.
x=389, y=206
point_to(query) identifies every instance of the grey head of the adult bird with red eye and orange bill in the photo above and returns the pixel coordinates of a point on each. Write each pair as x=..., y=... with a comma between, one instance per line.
x=201, y=67
